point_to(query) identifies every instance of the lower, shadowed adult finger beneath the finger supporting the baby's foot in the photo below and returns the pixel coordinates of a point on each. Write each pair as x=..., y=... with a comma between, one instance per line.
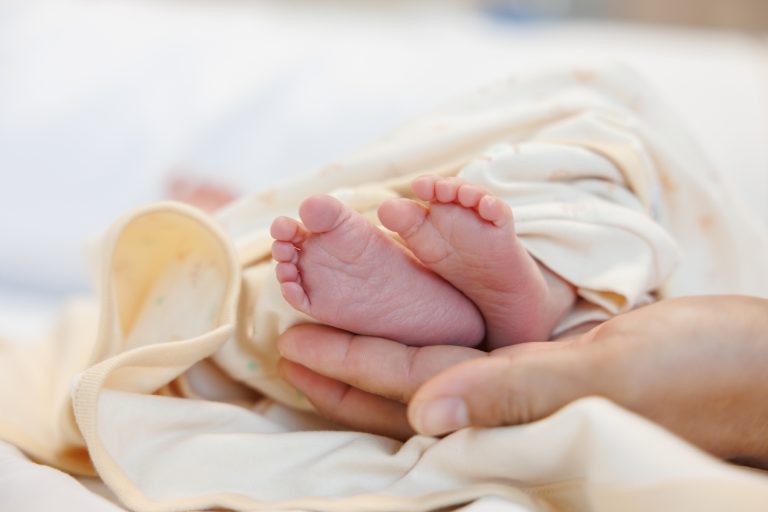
x=344, y=404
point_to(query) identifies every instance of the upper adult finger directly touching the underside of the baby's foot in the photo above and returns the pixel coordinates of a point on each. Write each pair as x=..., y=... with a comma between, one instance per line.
x=375, y=365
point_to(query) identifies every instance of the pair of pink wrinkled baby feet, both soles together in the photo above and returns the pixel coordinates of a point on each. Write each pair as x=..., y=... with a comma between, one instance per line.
x=461, y=255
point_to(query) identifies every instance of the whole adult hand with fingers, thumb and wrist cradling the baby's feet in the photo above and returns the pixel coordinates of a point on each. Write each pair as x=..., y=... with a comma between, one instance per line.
x=696, y=365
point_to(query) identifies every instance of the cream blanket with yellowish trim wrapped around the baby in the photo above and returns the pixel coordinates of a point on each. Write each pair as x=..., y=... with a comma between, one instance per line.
x=164, y=386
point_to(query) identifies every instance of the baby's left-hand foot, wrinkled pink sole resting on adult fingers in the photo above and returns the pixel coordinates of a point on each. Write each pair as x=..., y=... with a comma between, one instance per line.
x=341, y=270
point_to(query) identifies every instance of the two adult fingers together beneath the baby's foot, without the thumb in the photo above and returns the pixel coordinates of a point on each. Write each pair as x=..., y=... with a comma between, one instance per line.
x=362, y=381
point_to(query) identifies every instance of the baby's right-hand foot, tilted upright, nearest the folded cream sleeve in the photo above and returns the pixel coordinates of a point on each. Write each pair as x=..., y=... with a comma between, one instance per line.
x=467, y=236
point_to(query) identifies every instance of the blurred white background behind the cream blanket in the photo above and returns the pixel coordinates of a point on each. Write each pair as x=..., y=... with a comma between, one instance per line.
x=104, y=103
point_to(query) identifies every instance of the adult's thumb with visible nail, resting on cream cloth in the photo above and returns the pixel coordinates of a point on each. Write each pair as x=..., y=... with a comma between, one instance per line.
x=507, y=390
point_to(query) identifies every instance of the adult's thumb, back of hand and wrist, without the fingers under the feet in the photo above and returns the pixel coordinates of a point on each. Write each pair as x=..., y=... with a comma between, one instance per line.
x=698, y=366
